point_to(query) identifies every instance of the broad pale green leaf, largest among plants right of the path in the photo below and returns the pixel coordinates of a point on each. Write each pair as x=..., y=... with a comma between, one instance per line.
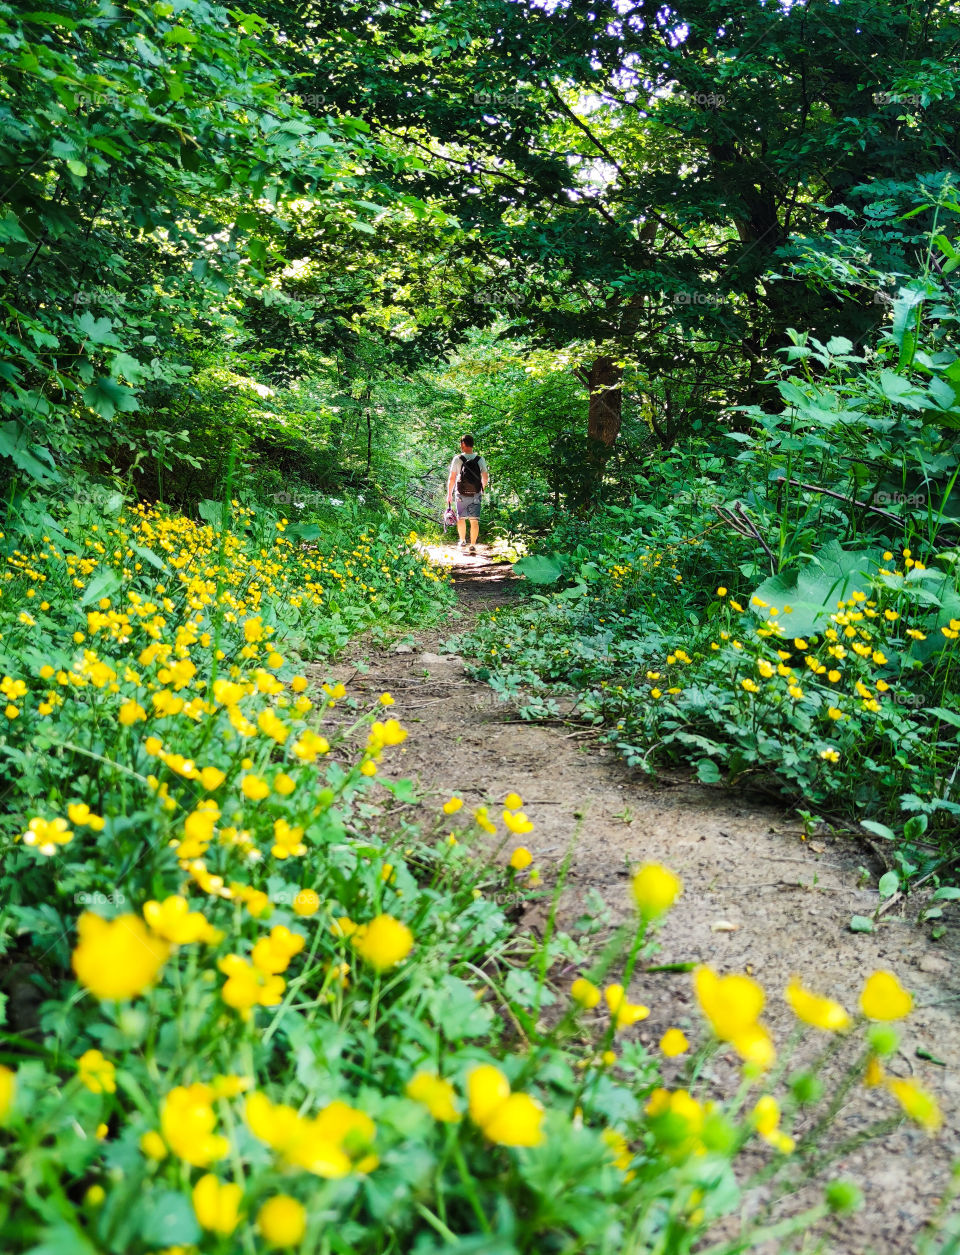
x=814, y=592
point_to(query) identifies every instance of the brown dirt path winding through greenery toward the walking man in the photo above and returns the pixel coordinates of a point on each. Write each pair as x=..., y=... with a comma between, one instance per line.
x=759, y=898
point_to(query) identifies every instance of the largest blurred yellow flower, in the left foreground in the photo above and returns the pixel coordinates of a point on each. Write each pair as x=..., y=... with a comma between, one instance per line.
x=120, y=958
